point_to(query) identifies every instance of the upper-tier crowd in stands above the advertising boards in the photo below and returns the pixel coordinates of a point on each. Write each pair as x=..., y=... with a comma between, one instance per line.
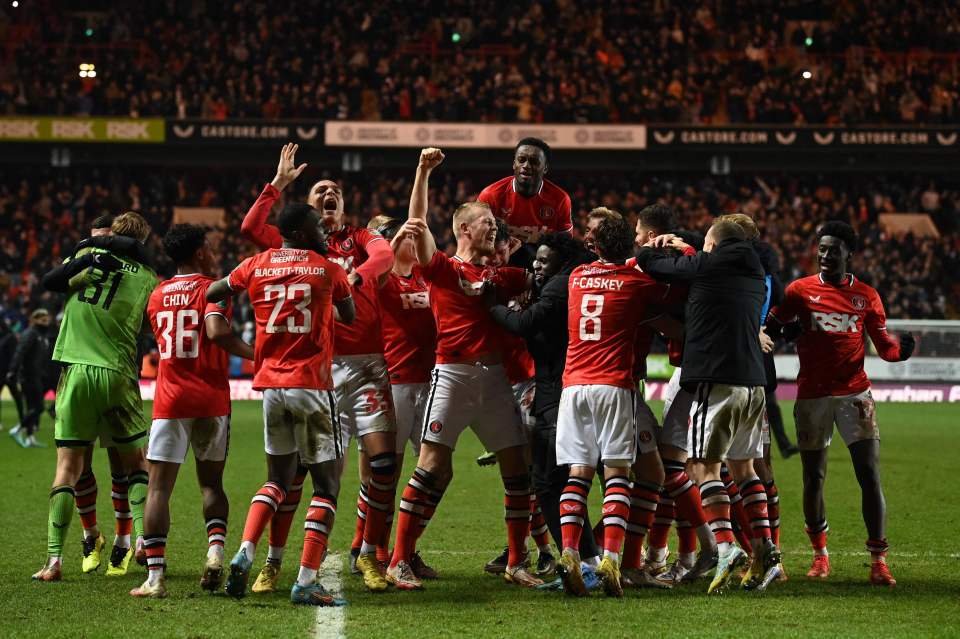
x=883, y=61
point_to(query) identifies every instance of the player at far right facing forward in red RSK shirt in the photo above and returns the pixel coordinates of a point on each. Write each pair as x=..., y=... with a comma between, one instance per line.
x=836, y=313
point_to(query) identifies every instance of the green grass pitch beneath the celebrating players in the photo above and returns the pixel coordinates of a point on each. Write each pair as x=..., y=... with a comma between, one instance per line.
x=920, y=443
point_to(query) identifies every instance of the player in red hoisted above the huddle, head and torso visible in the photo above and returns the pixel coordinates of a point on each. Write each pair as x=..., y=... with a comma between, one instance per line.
x=530, y=204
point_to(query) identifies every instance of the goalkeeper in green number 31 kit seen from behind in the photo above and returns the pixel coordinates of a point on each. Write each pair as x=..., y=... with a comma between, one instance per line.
x=108, y=284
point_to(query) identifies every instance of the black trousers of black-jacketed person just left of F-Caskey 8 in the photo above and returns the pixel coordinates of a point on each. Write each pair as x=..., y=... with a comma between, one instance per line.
x=549, y=480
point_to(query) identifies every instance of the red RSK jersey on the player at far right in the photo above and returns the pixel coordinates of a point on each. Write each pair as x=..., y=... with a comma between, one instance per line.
x=836, y=322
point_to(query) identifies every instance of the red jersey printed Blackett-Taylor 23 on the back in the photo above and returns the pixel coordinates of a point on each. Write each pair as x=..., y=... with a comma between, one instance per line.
x=292, y=293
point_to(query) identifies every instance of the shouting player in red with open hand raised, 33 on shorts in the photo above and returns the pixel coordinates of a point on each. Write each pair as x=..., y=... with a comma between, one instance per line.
x=359, y=369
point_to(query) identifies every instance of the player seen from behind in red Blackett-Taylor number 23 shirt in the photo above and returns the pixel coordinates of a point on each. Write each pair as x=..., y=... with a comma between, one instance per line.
x=293, y=290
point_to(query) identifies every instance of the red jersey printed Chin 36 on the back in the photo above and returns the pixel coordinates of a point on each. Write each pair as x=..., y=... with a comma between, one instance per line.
x=193, y=376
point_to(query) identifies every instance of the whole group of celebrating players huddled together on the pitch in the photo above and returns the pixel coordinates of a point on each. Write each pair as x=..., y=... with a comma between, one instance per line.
x=376, y=334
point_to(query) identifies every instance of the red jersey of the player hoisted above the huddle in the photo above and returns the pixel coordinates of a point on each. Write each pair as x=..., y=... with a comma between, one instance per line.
x=548, y=210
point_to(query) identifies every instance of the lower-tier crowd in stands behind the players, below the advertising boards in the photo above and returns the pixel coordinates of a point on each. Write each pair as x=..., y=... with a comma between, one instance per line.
x=44, y=213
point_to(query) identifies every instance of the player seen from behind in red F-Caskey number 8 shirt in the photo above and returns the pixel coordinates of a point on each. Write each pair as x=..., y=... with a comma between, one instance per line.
x=598, y=406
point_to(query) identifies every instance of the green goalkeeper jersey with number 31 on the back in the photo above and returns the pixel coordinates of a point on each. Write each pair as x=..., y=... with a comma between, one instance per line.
x=103, y=317
